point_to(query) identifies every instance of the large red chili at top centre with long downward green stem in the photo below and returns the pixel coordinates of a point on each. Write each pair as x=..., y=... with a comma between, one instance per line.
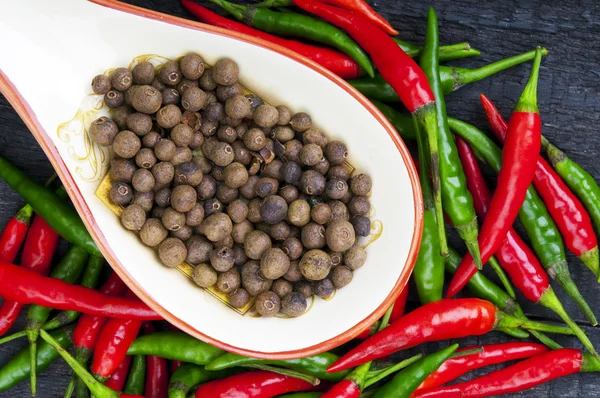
x=403, y=74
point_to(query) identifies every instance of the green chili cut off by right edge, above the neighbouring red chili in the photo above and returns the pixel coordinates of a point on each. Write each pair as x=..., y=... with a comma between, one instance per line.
x=579, y=180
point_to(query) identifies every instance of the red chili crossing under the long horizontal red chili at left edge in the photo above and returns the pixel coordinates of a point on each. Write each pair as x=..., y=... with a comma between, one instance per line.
x=38, y=250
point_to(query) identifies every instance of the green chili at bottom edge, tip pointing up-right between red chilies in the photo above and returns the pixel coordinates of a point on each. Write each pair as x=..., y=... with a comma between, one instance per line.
x=406, y=382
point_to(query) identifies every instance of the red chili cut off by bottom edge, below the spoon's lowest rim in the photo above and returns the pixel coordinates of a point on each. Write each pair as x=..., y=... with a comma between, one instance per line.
x=257, y=384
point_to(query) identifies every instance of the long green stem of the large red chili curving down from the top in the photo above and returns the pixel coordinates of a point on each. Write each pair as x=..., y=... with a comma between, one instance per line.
x=428, y=118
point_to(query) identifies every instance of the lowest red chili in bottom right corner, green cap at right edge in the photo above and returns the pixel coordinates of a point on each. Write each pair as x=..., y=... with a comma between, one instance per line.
x=520, y=376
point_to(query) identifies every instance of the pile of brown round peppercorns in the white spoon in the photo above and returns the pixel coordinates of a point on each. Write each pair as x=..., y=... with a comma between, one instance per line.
x=258, y=200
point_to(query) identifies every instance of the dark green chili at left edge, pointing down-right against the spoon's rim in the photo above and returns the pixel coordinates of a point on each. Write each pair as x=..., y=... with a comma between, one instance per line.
x=58, y=214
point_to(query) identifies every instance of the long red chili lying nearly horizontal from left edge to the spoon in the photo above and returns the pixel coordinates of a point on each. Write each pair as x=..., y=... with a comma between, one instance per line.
x=27, y=287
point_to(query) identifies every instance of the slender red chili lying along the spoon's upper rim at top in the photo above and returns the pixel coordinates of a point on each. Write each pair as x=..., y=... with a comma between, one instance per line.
x=338, y=63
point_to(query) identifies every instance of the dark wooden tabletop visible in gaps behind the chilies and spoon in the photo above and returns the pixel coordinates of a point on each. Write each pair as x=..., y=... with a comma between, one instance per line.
x=569, y=101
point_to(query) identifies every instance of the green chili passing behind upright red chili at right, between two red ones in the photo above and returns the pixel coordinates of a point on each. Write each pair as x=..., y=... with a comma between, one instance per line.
x=537, y=222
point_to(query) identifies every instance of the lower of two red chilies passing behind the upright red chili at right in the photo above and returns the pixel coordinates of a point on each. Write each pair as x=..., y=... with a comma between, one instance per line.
x=514, y=255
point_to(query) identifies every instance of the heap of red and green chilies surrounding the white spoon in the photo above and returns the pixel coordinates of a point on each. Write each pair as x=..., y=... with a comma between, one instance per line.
x=122, y=348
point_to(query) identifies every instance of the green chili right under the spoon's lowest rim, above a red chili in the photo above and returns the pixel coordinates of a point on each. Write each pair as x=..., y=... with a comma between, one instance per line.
x=315, y=365
